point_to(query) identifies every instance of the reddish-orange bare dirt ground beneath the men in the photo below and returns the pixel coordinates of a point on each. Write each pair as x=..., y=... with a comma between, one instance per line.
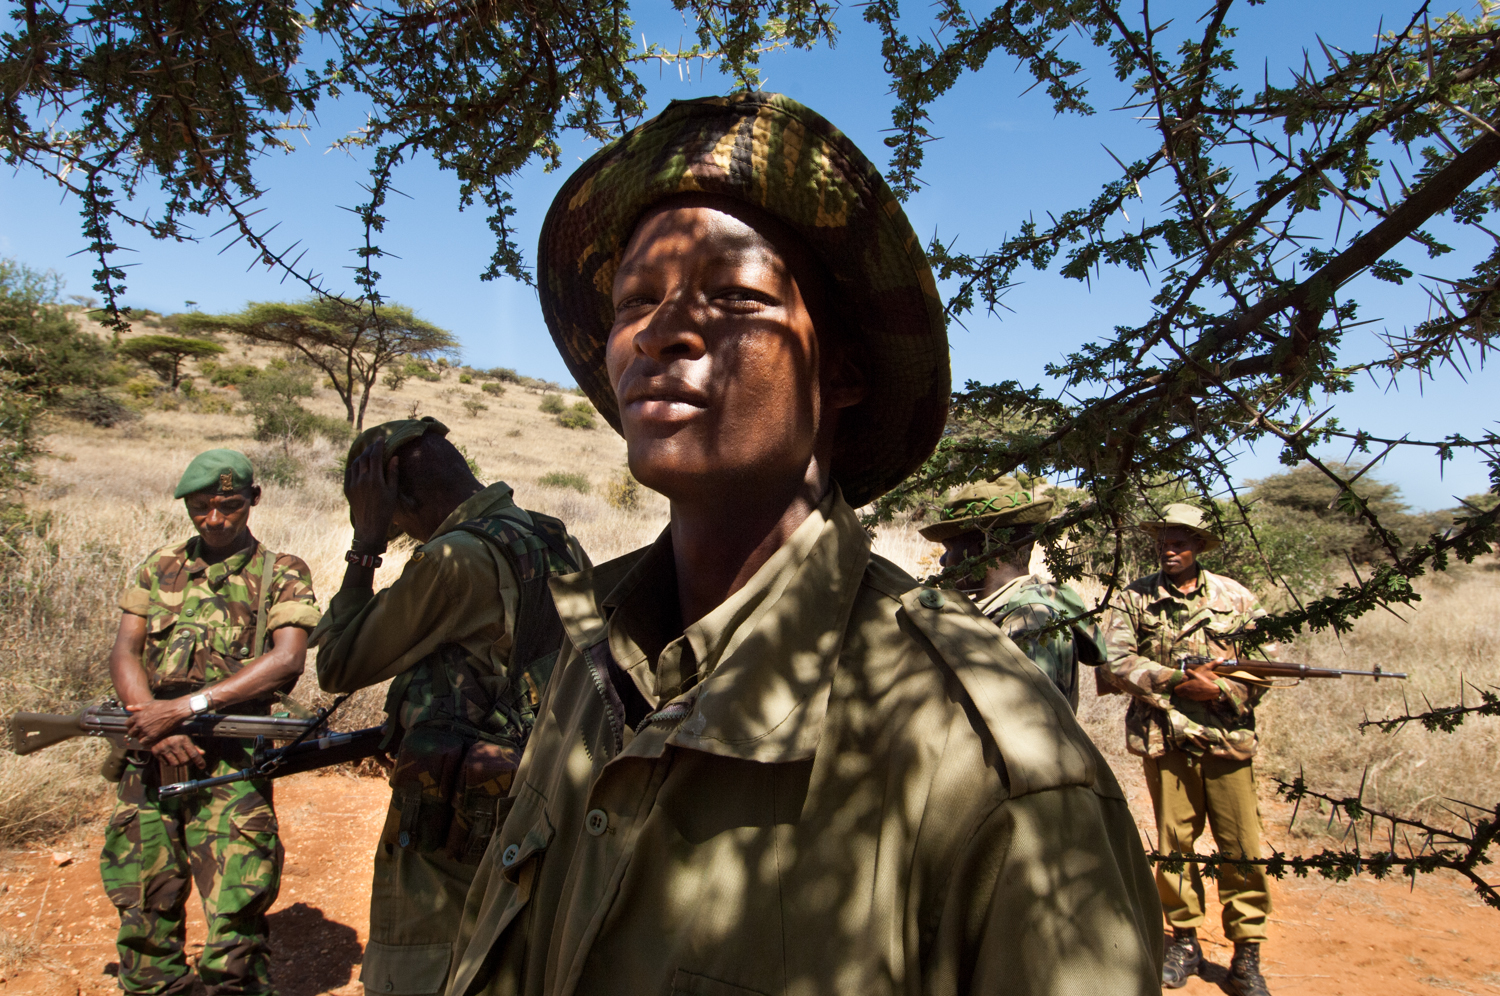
x=1330, y=940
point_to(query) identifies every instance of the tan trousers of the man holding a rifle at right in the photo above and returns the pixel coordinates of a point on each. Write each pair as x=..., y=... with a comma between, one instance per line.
x=1186, y=791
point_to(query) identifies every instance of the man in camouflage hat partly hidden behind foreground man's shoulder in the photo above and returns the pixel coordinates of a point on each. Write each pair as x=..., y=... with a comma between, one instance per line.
x=1000, y=520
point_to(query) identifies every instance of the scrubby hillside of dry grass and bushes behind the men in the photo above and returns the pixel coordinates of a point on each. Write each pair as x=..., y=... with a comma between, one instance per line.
x=112, y=448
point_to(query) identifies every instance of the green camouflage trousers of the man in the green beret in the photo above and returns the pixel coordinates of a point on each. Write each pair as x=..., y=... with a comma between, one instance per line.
x=154, y=851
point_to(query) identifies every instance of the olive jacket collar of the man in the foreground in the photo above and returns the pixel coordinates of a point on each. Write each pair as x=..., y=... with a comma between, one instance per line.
x=767, y=653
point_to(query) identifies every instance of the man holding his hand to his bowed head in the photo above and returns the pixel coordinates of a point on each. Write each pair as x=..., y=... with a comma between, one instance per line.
x=470, y=635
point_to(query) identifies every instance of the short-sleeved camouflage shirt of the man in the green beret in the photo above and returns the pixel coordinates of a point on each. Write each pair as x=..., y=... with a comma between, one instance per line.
x=200, y=619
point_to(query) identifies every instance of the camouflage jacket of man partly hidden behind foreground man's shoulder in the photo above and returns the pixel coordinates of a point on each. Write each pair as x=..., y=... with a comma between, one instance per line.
x=1027, y=608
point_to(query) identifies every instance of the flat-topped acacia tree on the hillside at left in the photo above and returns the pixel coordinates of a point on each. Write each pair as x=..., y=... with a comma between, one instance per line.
x=352, y=343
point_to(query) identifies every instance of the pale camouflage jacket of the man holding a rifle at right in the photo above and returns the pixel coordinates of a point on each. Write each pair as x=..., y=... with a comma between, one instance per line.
x=1150, y=626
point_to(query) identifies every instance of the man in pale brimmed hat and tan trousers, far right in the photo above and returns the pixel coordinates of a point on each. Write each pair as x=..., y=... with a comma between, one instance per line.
x=1196, y=733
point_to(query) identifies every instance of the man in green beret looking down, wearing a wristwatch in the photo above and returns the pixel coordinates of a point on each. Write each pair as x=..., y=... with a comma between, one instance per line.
x=220, y=625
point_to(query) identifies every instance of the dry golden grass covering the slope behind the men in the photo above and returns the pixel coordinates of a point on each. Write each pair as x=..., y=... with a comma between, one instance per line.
x=109, y=494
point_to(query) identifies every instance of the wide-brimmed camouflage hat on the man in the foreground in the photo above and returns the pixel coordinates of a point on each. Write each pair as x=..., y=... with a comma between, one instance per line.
x=775, y=154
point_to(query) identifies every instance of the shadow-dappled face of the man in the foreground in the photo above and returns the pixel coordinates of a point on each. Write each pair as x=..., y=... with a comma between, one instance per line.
x=715, y=359
